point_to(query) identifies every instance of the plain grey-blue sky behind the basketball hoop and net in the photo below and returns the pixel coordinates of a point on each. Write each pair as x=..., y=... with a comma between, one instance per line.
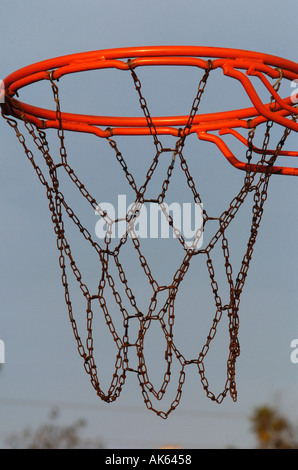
x=42, y=366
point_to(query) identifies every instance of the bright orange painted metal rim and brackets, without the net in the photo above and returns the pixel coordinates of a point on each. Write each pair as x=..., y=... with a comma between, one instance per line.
x=237, y=64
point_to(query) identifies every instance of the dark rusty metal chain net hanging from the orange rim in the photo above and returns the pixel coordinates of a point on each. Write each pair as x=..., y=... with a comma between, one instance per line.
x=255, y=184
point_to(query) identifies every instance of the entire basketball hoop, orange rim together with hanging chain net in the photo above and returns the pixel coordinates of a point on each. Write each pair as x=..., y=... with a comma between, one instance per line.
x=280, y=111
